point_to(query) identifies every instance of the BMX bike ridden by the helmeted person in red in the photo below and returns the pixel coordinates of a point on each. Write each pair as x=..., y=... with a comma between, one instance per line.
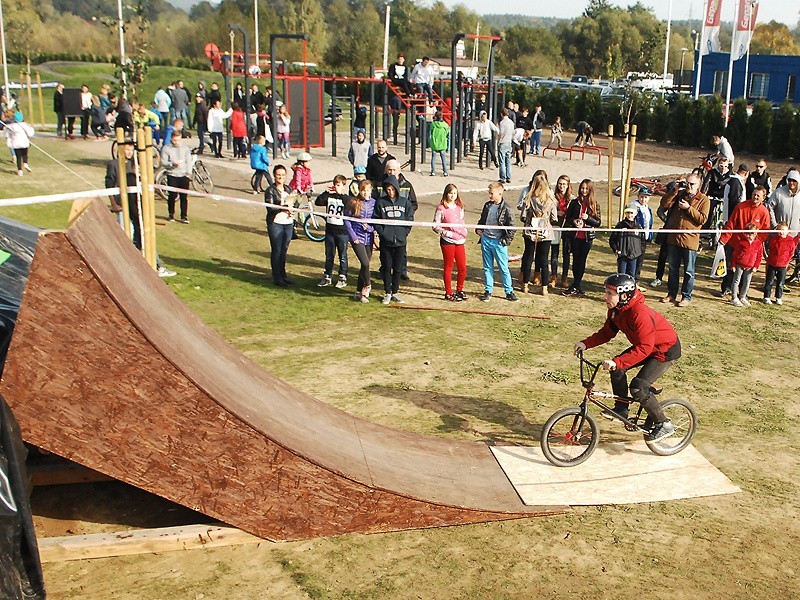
x=570, y=435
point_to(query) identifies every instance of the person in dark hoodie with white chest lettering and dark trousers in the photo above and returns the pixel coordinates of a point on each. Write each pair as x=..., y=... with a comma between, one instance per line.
x=393, y=207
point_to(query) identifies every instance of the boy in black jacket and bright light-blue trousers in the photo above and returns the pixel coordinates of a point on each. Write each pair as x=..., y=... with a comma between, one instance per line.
x=495, y=242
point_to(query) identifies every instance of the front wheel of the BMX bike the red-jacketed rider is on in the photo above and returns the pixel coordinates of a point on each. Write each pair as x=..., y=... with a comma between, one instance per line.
x=569, y=437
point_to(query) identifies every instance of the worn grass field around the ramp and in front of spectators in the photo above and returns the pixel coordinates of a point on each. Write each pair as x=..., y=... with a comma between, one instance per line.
x=478, y=378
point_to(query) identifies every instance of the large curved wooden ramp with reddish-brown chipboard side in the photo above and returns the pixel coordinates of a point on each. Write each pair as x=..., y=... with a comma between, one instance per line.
x=108, y=368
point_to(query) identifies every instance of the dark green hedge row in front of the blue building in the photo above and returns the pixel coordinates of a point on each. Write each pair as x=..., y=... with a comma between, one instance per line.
x=767, y=131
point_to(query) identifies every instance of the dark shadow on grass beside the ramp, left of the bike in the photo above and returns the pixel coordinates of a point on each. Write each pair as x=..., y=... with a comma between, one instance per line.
x=454, y=412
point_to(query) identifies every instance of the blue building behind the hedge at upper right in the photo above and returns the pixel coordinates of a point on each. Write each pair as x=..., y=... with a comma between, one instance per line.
x=771, y=77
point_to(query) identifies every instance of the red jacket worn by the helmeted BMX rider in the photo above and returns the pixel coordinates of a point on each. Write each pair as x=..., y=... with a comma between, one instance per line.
x=646, y=329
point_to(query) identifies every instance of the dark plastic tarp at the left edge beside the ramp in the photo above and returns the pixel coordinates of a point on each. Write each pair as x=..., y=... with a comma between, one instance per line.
x=20, y=568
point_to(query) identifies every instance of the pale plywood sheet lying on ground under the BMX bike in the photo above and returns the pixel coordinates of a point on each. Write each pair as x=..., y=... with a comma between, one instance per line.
x=617, y=473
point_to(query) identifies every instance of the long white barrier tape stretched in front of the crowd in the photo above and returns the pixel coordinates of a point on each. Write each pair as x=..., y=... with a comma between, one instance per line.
x=232, y=199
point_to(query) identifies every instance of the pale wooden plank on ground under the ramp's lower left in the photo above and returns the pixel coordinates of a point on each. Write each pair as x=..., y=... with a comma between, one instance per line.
x=141, y=541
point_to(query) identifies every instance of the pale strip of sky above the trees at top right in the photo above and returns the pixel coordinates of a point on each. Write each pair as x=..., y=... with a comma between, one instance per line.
x=681, y=9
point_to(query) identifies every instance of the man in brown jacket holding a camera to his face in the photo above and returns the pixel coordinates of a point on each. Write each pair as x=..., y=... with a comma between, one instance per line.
x=687, y=210
